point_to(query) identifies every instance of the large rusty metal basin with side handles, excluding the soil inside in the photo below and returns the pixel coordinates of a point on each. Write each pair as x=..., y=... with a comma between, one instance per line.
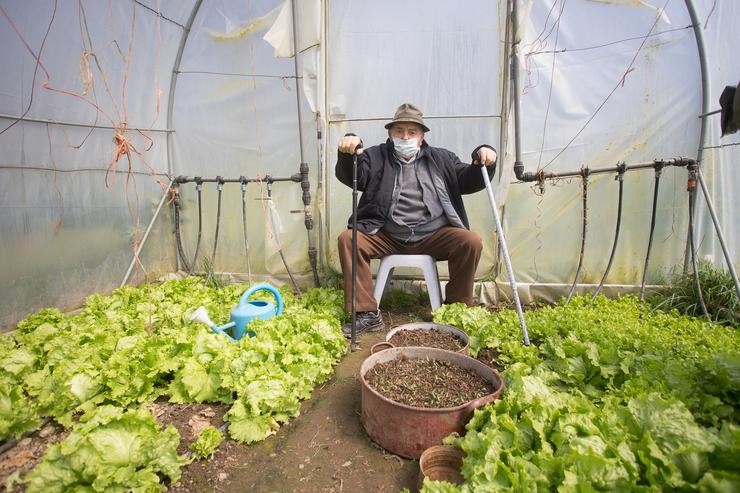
x=406, y=430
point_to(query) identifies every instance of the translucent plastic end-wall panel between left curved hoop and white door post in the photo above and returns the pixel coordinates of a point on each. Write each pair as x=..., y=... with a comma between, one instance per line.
x=236, y=114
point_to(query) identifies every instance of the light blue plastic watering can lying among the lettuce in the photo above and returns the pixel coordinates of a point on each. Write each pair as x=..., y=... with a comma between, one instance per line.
x=244, y=312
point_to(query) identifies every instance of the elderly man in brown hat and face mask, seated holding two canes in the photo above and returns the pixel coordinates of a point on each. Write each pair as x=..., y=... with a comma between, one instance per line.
x=411, y=204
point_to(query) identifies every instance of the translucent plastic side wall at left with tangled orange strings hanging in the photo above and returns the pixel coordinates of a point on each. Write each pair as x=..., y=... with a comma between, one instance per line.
x=82, y=149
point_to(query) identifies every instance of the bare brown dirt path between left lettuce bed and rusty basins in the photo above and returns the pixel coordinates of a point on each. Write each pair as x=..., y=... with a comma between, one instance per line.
x=325, y=449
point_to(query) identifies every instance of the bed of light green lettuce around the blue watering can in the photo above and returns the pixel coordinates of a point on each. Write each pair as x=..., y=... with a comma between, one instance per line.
x=101, y=366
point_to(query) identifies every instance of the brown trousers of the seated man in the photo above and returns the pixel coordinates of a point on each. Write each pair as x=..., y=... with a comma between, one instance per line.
x=460, y=247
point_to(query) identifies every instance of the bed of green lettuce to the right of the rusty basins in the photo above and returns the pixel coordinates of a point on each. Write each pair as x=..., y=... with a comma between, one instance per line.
x=614, y=396
